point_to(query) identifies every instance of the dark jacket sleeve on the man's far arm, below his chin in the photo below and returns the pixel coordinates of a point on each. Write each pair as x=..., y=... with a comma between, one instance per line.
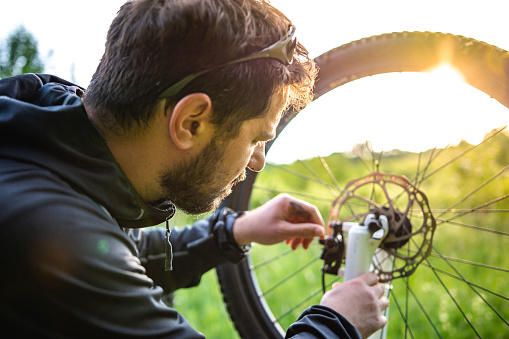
x=196, y=249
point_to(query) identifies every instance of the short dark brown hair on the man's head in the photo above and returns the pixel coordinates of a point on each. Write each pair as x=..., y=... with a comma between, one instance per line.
x=152, y=44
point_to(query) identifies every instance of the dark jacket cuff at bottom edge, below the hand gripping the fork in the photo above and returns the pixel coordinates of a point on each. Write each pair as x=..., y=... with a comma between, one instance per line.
x=322, y=322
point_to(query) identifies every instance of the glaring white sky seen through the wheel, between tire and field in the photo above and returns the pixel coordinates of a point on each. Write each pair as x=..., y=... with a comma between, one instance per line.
x=406, y=111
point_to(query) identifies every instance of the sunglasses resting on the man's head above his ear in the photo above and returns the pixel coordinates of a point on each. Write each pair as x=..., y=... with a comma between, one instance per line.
x=282, y=50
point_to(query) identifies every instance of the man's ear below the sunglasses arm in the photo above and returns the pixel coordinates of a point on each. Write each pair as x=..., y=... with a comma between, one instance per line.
x=190, y=121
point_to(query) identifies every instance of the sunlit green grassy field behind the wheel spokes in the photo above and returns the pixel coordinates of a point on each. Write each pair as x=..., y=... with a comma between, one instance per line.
x=437, y=284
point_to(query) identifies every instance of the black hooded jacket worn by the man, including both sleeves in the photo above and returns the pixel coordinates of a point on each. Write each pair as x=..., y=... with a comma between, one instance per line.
x=70, y=269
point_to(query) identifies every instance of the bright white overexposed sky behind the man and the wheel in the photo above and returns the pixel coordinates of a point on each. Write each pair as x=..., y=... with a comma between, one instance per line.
x=71, y=38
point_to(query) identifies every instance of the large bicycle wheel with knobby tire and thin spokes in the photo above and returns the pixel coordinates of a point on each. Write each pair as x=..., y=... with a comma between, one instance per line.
x=459, y=289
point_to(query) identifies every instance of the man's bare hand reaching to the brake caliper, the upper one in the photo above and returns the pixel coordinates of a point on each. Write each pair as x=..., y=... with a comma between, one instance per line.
x=282, y=218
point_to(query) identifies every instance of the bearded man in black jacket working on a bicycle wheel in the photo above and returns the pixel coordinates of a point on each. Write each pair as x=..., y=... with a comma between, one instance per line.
x=183, y=100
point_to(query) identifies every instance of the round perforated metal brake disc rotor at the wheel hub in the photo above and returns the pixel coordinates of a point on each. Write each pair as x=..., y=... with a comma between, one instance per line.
x=411, y=223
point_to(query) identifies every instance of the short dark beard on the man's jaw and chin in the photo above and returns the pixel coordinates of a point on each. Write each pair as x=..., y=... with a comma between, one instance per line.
x=191, y=186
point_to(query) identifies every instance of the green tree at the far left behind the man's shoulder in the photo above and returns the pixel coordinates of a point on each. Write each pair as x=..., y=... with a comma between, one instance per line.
x=19, y=54
